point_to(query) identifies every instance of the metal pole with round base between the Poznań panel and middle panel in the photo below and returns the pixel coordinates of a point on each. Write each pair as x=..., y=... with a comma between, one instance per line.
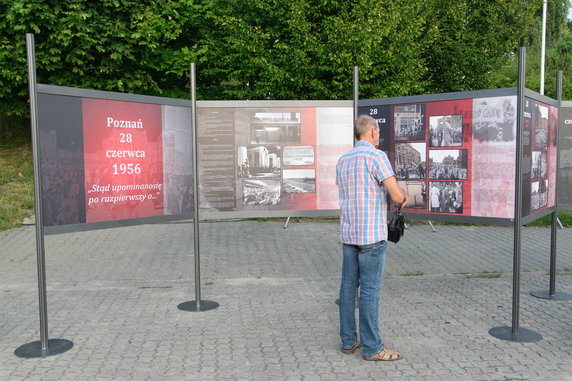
x=198, y=304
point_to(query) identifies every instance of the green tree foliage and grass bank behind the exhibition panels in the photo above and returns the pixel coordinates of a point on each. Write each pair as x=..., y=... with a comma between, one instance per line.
x=263, y=49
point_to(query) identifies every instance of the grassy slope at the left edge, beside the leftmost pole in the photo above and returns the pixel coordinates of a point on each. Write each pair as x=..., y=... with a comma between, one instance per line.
x=16, y=183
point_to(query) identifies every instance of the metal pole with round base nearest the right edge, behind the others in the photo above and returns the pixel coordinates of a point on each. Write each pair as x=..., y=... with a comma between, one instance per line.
x=552, y=294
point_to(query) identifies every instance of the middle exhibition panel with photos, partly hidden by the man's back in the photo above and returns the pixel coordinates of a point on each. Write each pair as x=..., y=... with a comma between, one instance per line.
x=271, y=158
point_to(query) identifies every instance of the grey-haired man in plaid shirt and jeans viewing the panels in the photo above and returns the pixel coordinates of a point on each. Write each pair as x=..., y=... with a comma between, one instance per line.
x=363, y=176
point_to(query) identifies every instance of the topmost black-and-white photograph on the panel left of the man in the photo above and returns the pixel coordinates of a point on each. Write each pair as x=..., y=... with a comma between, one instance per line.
x=275, y=127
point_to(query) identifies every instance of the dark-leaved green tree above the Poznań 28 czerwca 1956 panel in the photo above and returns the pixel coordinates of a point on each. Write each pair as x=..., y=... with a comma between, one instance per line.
x=127, y=46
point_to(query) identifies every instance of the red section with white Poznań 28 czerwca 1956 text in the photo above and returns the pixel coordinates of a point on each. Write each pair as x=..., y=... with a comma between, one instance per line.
x=123, y=160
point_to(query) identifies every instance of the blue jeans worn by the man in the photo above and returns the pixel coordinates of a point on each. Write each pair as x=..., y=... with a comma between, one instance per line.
x=363, y=266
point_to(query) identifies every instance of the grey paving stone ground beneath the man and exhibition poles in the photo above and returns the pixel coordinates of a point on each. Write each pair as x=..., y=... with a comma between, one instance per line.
x=115, y=292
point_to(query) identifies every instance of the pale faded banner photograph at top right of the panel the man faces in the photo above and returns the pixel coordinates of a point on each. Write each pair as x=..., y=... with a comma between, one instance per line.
x=494, y=119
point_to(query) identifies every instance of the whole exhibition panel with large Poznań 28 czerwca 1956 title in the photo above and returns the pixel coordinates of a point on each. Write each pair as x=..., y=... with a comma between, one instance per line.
x=111, y=159
